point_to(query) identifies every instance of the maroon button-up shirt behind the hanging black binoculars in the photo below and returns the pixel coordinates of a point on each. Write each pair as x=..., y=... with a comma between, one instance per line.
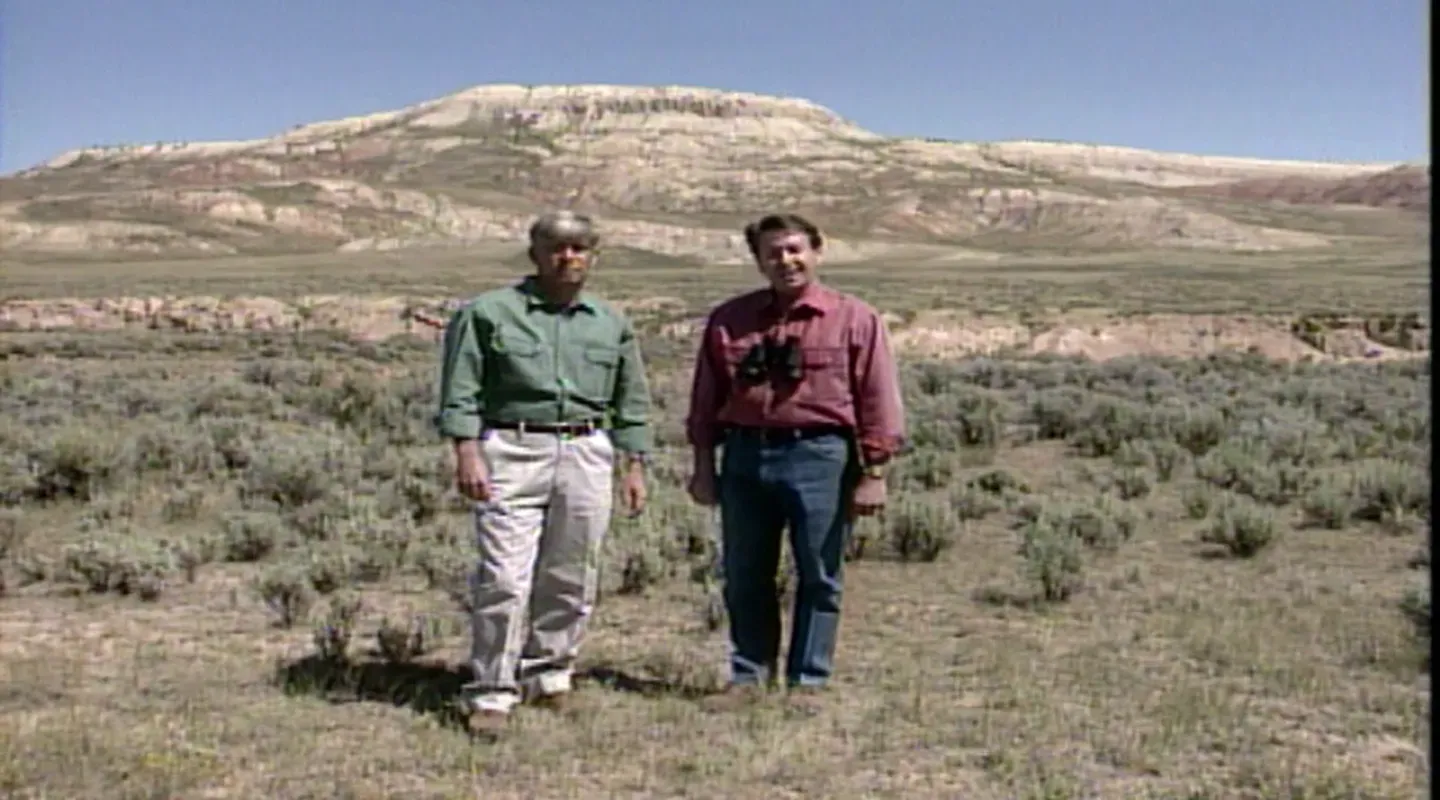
x=850, y=376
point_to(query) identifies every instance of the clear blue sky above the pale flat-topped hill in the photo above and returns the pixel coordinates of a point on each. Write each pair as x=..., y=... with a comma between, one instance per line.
x=1333, y=80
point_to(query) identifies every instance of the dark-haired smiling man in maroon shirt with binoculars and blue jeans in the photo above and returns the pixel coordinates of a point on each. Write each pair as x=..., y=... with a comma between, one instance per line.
x=798, y=388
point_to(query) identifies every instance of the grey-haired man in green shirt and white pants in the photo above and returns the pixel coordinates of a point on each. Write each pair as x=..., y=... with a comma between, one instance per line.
x=542, y=389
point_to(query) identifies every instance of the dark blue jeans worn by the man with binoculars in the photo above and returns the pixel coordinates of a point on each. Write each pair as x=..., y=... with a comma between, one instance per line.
x=767, y=487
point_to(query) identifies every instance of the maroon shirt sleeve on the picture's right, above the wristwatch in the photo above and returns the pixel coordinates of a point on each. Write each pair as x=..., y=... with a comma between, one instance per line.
x=879, y=406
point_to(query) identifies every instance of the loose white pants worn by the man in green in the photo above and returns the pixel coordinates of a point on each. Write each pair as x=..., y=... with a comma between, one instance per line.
x=539, y=540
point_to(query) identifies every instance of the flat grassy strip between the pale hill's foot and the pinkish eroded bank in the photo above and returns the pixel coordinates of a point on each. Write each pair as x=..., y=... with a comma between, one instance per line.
x=1364, y=280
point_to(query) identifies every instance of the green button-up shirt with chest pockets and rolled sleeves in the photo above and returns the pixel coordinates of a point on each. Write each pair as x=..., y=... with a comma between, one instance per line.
x=510, y=356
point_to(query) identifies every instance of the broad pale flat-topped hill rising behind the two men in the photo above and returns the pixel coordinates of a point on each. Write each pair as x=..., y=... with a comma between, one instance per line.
x=672, y=171
